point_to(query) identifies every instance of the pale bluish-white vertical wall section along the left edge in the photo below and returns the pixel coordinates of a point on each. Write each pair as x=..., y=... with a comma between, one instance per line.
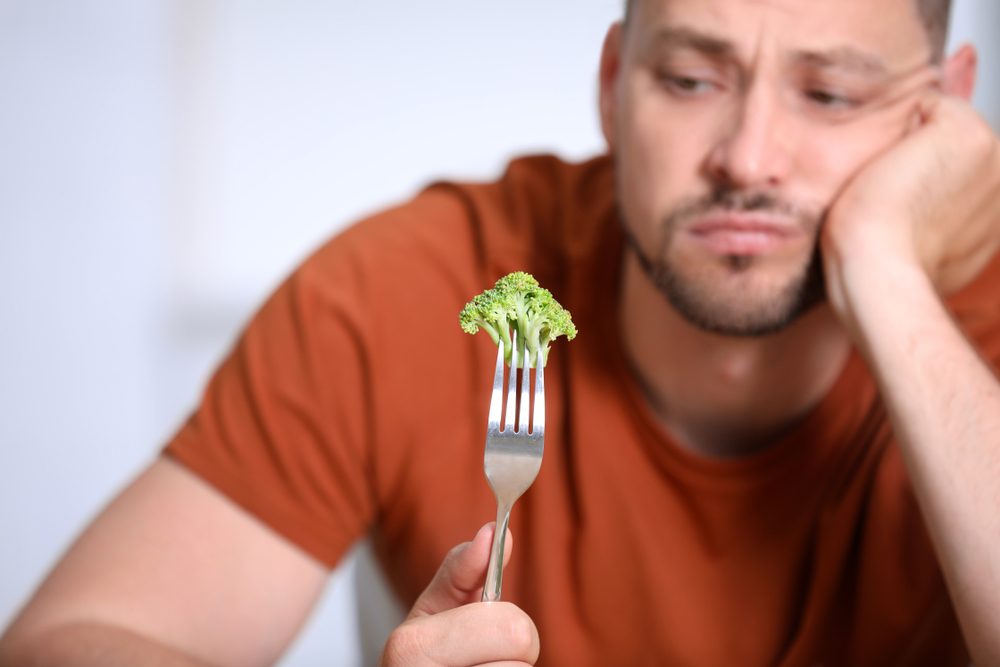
x=83, y=160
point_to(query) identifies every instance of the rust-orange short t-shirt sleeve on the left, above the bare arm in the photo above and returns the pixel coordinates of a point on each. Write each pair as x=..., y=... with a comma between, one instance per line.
x=282, y=427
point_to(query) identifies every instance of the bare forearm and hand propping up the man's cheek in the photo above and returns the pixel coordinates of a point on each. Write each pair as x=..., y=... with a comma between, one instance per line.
x=922, y=220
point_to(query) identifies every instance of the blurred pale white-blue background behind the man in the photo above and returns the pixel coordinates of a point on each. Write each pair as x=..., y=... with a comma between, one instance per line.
x=164, y=163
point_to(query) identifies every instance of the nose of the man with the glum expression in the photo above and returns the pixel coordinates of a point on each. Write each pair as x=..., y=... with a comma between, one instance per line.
x=752, y=151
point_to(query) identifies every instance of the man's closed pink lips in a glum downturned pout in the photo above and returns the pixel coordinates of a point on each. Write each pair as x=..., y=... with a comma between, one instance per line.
x=744, y=234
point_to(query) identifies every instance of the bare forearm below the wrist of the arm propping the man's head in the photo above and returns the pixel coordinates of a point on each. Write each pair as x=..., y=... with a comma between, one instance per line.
x=944, y=404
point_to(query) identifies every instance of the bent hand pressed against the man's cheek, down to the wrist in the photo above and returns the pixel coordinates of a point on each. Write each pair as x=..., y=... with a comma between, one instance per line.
x=930, y=203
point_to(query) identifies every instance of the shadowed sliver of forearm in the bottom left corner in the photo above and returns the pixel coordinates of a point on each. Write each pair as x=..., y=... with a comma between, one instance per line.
x=90, y=645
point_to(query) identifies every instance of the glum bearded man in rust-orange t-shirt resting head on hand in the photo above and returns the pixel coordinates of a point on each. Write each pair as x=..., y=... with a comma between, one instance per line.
x=722, y=483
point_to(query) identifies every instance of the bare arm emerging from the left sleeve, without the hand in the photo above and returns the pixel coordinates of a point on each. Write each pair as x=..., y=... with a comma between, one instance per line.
x=171, y=573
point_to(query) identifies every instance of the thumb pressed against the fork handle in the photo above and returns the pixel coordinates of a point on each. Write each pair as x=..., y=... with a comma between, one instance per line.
x=461, y=577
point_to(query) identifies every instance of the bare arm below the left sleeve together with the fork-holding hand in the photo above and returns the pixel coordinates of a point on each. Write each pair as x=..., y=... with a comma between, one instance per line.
x=173, y=574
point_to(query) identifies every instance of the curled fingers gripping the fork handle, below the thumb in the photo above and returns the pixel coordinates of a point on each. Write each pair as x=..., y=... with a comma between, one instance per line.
x=474, y=634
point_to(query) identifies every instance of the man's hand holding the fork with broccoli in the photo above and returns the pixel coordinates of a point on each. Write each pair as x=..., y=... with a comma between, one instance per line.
x=449, y=627
